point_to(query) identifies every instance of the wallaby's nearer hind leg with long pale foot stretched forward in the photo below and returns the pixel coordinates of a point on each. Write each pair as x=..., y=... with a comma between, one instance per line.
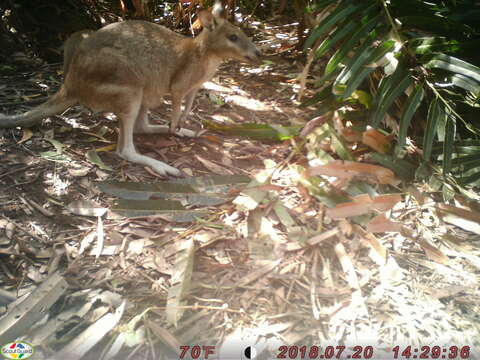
x=126, y=148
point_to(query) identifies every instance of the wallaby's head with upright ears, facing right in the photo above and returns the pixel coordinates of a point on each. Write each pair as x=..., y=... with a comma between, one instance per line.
x=225, y=40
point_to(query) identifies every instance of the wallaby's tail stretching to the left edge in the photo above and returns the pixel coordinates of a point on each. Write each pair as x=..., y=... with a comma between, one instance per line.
x=57, y=103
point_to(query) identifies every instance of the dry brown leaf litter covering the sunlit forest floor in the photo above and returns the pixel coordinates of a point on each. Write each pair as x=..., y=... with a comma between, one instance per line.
x=285, y=245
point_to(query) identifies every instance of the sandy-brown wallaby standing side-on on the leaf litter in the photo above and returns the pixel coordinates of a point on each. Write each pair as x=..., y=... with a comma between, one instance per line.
x=126, y=68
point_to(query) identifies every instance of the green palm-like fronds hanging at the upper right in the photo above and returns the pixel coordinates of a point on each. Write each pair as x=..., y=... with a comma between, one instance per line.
x=416, y=61
